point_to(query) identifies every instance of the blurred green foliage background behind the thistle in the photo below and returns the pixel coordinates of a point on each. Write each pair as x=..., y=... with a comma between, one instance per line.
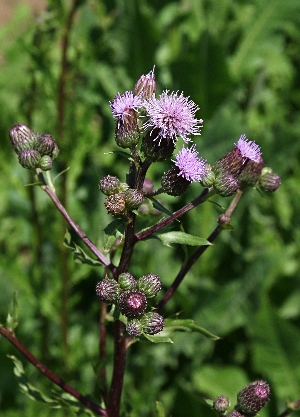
x=239, y=61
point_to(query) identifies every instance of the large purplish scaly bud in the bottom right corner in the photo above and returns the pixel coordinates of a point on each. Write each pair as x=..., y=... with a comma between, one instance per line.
x=253, y=398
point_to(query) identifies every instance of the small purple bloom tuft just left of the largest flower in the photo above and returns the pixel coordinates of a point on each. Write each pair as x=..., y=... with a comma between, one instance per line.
x=122, y=104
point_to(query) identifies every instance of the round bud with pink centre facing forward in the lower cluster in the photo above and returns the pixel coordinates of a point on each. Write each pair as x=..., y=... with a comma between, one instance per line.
x=132, y=303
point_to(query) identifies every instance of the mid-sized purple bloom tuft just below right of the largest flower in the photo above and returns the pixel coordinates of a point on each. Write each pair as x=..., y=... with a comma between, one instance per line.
x=191, y=167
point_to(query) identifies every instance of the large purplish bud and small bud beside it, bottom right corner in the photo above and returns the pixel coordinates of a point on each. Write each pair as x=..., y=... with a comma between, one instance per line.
x=250, y=400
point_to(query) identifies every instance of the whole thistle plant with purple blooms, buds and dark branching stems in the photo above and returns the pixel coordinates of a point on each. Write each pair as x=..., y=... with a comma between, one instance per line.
x=152, y=128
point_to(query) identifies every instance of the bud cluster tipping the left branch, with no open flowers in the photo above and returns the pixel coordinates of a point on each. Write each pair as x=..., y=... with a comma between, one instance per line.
x=35, y=150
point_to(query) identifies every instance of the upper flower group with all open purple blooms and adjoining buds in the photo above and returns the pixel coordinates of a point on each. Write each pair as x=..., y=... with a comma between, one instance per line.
x=159, y=122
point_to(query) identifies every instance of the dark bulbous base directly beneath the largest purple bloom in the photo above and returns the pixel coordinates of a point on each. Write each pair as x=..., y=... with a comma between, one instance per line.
x=155, y=148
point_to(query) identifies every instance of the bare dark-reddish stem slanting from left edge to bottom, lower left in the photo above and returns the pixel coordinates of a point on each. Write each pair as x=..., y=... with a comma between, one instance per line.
x=50, y=375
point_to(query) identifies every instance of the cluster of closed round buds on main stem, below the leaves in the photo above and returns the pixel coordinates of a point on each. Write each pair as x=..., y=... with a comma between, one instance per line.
x=130, y=297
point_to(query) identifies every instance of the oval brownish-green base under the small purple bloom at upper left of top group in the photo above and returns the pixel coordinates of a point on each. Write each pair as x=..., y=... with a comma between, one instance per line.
x=127, y=131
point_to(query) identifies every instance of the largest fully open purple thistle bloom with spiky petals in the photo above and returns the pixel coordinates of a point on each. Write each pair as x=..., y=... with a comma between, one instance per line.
x=172, y=116
